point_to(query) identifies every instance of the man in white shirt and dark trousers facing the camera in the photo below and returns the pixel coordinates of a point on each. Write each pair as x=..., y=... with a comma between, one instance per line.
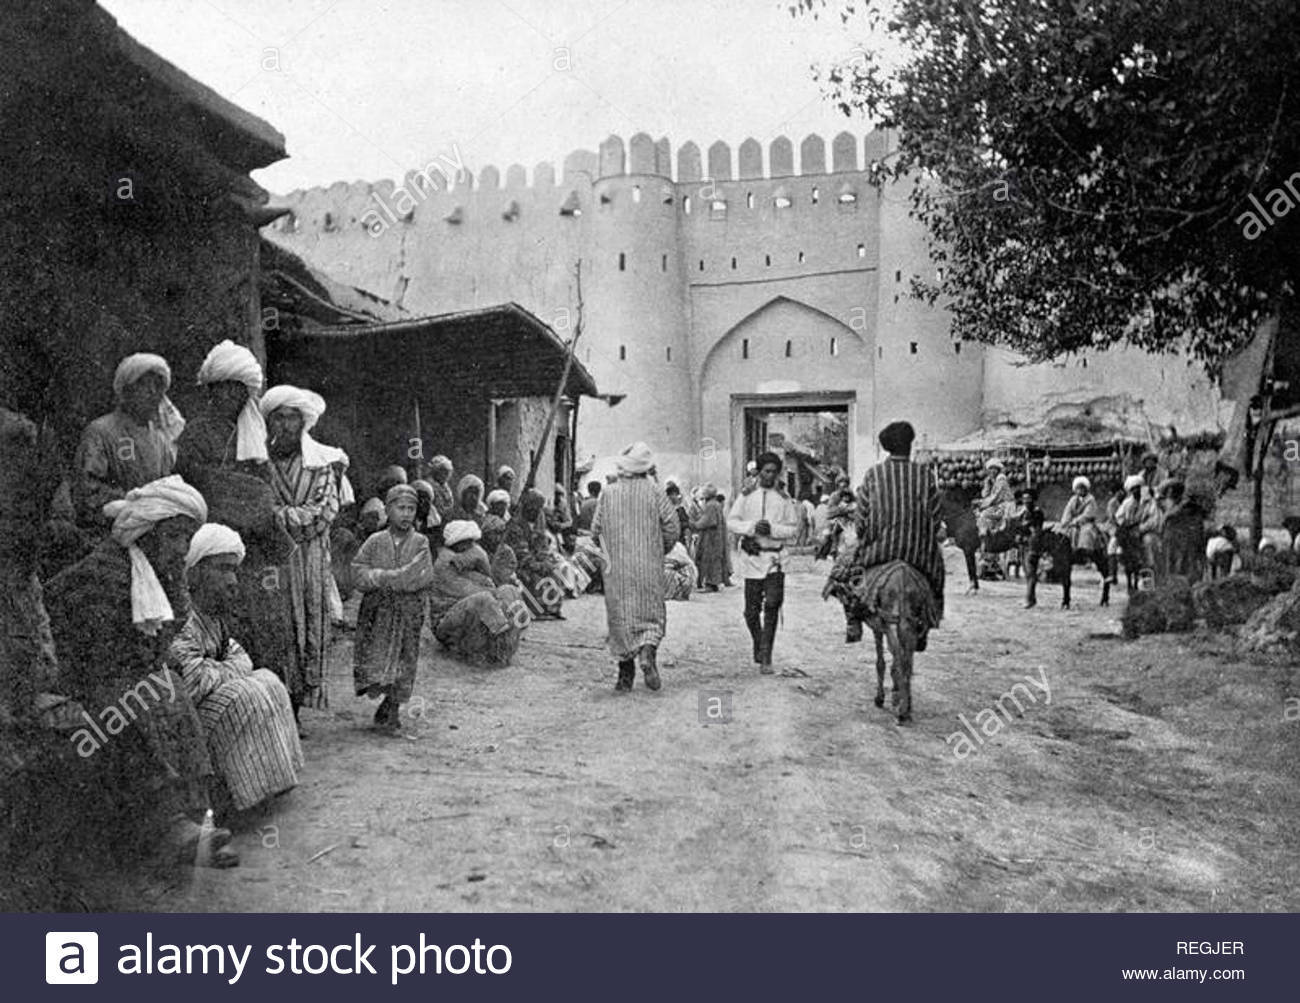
x=765, y=519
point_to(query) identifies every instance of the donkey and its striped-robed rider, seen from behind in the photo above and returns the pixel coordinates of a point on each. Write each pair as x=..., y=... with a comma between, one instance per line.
x=895, y=579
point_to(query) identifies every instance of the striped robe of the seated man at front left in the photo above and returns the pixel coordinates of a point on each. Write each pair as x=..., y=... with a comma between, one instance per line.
x=246, y=715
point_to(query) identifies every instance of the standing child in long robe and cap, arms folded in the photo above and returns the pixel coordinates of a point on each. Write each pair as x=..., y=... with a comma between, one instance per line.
x=393, y=571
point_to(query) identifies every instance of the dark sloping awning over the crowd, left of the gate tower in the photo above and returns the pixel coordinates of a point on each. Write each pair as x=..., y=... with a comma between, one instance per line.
x=499, y=351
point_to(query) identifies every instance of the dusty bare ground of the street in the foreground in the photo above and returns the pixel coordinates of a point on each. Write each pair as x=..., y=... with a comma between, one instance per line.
x=1162, y=776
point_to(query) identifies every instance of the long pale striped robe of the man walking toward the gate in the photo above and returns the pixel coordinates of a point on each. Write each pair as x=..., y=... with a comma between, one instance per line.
x=636, y=527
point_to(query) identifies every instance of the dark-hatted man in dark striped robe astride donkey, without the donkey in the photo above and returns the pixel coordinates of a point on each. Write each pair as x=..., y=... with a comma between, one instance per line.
x=899, y=513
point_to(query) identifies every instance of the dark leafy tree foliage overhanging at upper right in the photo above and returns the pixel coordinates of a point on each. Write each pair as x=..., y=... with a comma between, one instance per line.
x=1085, y=168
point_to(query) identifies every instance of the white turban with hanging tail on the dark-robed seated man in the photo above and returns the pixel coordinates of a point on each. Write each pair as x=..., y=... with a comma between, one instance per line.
x=135, y=516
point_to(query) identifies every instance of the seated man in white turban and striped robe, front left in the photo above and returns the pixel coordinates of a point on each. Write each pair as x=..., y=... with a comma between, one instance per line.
x=246, y=715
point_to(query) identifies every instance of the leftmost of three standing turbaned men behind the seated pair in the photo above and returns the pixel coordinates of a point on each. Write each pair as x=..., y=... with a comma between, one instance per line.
x=132, y=445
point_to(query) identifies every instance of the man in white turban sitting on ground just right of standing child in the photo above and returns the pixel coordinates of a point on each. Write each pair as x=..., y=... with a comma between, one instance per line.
x=470, y=614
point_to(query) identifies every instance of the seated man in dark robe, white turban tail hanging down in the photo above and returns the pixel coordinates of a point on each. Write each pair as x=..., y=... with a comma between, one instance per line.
x=112, y=622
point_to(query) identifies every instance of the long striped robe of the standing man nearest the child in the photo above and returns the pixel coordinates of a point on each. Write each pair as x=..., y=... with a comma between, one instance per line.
x=306, y=505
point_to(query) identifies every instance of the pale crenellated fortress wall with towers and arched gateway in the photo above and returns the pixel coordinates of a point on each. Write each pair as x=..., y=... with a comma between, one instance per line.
x=436, y=245
